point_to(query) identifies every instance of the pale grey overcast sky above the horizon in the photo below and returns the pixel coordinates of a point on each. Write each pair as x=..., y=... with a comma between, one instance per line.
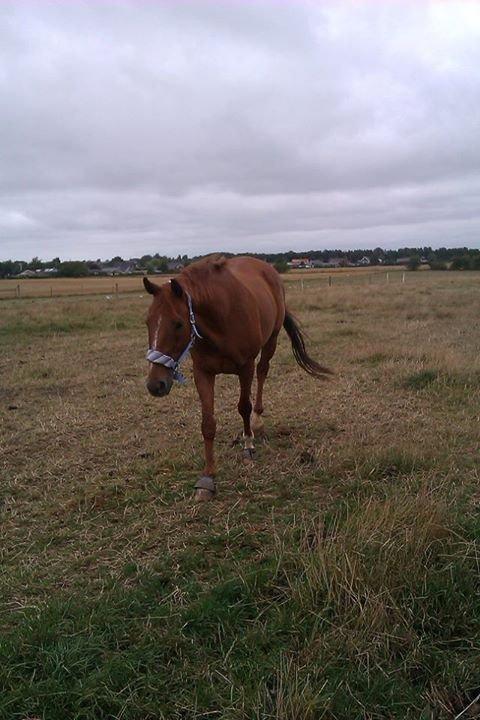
x=191, y=126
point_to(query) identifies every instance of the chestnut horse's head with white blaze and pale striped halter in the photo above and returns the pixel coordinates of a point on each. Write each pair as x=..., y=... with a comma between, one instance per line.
x=169, y=334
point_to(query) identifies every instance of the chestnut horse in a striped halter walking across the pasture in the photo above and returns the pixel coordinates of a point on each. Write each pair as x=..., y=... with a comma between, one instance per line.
x=225, y=312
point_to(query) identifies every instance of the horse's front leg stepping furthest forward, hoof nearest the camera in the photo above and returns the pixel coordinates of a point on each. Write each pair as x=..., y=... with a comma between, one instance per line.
x=205, y=383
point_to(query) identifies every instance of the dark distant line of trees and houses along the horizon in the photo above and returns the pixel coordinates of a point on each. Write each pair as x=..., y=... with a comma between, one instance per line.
x=440, y=259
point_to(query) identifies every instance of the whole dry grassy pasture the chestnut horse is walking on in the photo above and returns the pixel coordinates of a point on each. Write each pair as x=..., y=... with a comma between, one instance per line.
x=337, y=578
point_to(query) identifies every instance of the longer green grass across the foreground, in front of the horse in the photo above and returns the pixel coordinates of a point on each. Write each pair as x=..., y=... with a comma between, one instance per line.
x=376, y=607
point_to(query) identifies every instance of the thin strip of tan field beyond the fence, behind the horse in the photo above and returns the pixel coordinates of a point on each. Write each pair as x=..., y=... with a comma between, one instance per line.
x=53, y=287
